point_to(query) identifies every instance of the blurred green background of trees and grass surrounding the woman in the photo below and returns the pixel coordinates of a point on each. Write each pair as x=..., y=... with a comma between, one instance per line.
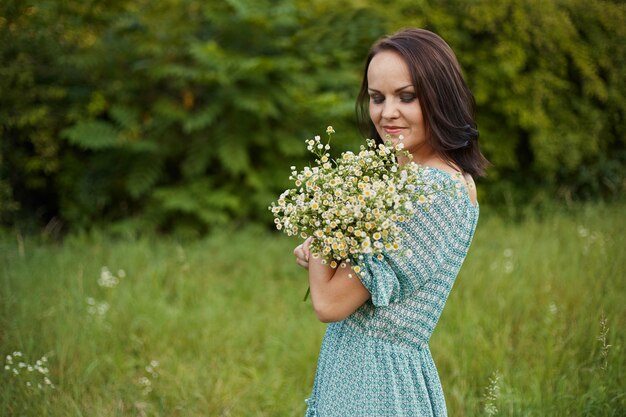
x=142, y=141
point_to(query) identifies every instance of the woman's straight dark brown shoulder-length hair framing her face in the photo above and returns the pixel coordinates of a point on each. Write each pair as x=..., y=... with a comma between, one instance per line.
x=446, y=101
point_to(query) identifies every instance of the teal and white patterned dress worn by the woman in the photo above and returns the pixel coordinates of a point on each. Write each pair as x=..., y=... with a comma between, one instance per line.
x=376, y=362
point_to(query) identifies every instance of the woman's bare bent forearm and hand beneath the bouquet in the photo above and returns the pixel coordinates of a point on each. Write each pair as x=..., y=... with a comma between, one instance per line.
x=335, y=293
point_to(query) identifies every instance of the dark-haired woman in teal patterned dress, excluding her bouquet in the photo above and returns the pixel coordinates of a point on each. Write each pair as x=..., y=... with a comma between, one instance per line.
x=375, y=359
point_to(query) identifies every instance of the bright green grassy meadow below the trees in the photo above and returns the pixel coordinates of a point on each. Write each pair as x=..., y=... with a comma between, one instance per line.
x=217, y=327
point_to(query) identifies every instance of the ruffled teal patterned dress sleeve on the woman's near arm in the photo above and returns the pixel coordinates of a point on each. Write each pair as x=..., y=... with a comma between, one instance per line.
x=398, y=274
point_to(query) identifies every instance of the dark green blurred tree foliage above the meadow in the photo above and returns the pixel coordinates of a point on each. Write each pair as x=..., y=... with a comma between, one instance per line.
x=183, y=114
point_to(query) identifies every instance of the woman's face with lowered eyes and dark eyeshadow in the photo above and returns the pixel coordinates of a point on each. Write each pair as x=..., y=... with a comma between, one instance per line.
x=393, y=106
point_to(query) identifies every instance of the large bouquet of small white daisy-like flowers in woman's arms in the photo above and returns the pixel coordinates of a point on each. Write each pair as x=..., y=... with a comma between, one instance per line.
x=353, y=205
